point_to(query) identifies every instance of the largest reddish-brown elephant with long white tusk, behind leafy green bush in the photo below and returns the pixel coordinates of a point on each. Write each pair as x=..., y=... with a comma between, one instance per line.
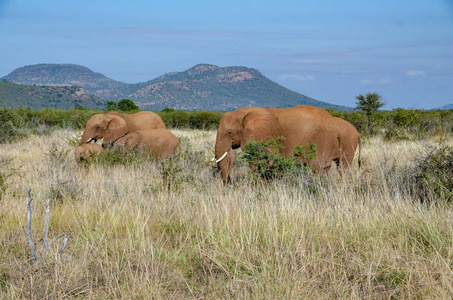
x=300, y=125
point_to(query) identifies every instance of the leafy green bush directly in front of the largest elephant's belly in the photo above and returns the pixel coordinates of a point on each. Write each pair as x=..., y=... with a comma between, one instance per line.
x=268, y=163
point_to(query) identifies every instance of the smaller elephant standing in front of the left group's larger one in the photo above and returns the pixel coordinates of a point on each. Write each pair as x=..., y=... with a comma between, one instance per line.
x=158, y=143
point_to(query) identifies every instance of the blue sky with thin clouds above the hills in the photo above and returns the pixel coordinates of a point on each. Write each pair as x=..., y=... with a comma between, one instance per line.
x=328, y=50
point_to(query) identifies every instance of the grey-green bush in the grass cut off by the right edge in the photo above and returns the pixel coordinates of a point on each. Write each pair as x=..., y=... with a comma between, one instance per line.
x=434, y=173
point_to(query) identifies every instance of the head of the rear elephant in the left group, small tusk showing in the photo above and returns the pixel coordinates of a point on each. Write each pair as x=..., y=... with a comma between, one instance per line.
x=106, y=126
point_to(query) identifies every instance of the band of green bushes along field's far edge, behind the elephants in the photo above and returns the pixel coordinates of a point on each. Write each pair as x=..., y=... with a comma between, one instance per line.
x=396, y=124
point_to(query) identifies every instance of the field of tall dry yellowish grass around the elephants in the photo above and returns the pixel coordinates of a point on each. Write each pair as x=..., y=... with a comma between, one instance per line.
x=170, y=230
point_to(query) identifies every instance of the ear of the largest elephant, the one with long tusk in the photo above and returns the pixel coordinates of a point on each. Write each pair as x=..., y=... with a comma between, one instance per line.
x=259, y=125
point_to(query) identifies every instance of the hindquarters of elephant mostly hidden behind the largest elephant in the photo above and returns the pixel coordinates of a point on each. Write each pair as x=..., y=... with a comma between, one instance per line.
x=349, y=140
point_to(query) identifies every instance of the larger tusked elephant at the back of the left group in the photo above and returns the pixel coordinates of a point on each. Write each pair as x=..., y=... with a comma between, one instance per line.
x=114, y=125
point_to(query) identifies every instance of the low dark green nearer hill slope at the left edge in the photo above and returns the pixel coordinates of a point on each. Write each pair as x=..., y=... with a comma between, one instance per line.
x=14, y=95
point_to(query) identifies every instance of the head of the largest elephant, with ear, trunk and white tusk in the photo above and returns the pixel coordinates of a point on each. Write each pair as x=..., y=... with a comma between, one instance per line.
x=238, y=127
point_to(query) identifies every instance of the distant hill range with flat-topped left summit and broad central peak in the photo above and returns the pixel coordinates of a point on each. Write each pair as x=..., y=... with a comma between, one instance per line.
x=204, y=86
